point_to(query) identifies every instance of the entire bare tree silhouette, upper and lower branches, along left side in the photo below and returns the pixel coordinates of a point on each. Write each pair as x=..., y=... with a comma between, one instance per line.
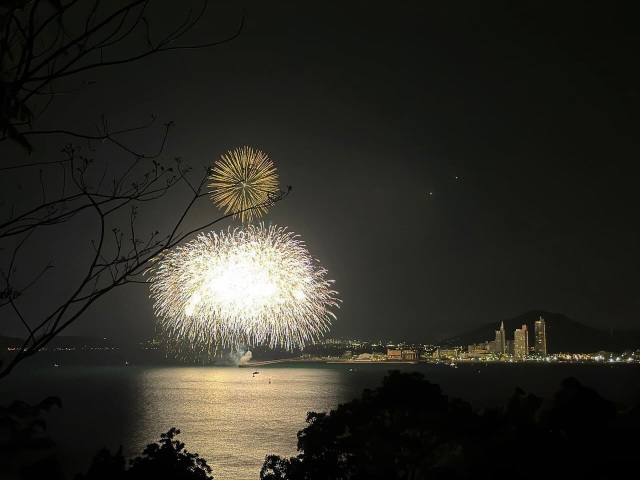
x=42, y=42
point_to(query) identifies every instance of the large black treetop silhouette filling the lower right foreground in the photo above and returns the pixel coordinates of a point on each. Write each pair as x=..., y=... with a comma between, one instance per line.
x=407, y=429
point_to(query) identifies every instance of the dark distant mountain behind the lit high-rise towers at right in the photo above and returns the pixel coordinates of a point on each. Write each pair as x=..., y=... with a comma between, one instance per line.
x=563, y=334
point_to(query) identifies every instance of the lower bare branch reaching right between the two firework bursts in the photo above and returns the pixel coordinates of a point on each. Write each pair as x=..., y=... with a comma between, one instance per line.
x=119, y=258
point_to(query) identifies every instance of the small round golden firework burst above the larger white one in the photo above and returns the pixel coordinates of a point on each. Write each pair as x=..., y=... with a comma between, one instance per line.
x=243, y=181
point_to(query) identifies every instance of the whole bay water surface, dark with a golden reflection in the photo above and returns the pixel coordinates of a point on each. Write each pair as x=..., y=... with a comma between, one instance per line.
x=234, y=419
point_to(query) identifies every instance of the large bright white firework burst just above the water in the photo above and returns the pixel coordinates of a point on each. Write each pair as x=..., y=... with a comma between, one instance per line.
x=256, y=285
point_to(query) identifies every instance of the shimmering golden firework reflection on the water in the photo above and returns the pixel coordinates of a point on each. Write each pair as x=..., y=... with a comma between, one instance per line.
x=231, y=417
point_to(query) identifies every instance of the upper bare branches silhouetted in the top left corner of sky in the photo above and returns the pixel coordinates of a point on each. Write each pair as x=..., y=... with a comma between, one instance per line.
x=32, y=60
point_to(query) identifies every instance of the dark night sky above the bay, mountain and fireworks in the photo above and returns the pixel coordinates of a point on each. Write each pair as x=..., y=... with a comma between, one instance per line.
x=453, y=163
